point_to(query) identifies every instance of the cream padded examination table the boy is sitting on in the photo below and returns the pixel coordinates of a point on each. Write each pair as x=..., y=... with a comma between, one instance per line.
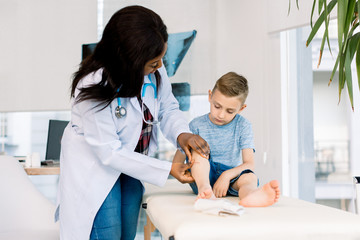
x=170, y=210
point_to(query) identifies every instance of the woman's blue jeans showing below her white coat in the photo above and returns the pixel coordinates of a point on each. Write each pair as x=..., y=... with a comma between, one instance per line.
x=117, y=217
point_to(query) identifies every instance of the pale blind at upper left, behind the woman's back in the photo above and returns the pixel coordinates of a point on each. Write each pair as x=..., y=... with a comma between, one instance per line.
x=40, y=46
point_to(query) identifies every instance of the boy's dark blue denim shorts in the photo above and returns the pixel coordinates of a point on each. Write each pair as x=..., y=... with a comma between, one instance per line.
x=216, y=169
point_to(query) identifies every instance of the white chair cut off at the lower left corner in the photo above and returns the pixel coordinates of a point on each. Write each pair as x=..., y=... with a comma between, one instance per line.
x=24, y=212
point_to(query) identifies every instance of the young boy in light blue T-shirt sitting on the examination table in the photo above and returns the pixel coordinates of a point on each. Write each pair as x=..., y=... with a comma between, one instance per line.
x=229, y=169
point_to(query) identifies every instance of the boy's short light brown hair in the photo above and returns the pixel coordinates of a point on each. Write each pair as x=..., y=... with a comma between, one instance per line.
x=233, y=85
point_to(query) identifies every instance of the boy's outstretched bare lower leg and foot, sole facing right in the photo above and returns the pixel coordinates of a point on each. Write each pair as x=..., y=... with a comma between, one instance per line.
x=252, y=196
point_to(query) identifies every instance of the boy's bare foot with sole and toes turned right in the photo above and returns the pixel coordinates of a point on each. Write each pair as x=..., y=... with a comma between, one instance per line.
x=262, y=197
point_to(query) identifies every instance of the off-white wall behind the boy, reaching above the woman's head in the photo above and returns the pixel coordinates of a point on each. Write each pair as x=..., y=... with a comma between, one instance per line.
x=240, y=36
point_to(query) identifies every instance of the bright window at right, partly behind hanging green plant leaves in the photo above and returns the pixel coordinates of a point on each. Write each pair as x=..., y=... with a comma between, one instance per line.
x=321, y=129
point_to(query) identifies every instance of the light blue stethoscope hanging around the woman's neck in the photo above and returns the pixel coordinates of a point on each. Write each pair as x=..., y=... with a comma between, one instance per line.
x=120, y=111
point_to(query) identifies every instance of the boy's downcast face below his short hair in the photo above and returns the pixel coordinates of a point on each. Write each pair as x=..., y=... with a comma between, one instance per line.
x=223, y=109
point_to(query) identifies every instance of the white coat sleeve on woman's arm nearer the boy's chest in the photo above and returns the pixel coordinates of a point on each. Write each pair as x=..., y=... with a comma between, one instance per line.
x=172, y=120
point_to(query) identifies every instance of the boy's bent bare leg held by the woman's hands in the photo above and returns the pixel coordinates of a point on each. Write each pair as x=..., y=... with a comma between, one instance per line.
x=200, y=172
